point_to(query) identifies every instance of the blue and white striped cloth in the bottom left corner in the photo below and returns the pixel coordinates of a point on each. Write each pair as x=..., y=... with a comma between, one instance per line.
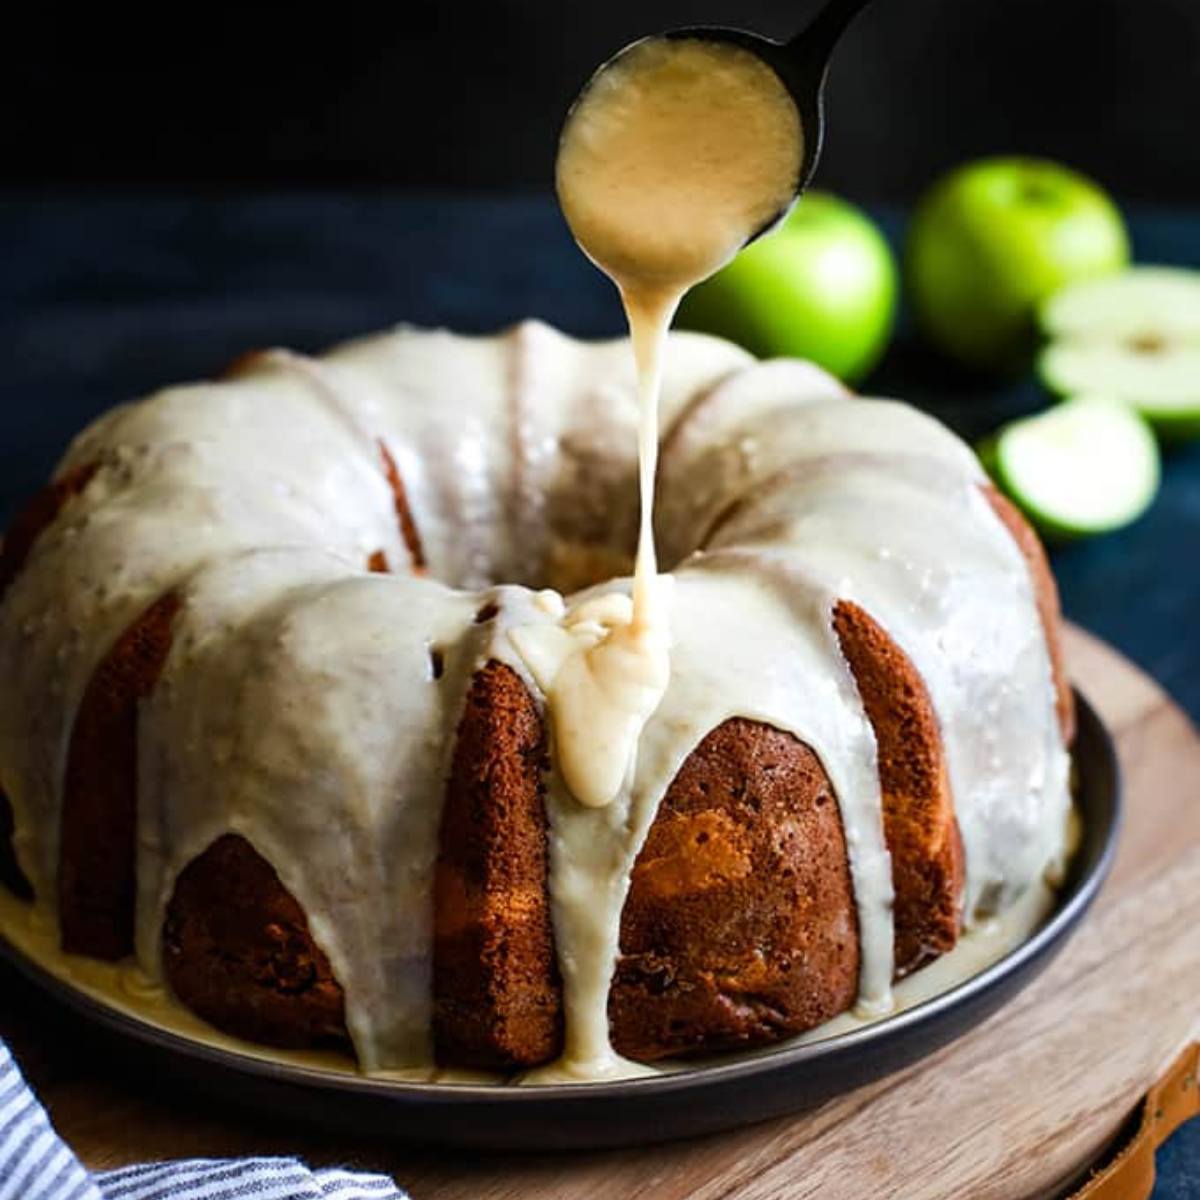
x=37, y=1165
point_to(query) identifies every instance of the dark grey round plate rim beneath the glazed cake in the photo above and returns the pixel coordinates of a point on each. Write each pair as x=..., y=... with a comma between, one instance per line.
x=737, y=1090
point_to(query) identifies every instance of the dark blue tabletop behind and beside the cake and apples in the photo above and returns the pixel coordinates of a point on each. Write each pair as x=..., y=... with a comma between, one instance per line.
x=105, y=299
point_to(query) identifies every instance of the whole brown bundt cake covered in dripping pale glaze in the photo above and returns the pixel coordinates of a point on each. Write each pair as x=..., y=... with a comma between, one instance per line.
x=267, y=725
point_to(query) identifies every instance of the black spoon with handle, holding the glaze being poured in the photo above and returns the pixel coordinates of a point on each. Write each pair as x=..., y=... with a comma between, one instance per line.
x=802, y=64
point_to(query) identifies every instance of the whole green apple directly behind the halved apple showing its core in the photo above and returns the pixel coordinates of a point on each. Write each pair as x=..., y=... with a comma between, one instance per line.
x=992, y=241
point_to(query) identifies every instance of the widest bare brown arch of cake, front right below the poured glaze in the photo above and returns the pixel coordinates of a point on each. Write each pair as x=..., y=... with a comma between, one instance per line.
x=740, y=927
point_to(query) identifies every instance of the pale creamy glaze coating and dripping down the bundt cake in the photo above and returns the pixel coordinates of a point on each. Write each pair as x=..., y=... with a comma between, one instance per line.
x=298, y=697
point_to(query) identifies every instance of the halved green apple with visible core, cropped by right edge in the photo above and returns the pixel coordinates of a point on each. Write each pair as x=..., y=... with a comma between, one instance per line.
x=1135, y=337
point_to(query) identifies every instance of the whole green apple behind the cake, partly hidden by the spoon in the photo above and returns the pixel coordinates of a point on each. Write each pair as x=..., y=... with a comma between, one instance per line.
x=823, y=286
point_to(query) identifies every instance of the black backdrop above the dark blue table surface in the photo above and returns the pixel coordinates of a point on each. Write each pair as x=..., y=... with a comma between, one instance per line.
x=471, y=95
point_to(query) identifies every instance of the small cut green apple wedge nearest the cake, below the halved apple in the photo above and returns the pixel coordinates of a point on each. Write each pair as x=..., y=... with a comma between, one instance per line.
x=1084, y=467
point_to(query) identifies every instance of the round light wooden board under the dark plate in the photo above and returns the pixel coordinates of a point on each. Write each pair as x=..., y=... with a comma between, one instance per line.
x=1013, y=1109
